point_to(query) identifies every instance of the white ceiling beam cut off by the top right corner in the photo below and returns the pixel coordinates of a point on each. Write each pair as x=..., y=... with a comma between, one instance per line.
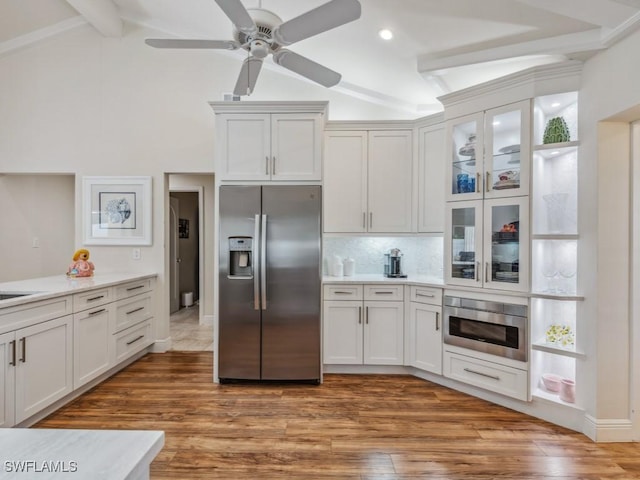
x=602, y=13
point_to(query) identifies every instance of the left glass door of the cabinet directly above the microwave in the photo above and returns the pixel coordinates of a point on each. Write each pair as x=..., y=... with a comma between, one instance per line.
x=463, y=243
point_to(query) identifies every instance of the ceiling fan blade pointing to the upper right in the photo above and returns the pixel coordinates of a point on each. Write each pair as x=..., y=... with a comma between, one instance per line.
x=320, y=19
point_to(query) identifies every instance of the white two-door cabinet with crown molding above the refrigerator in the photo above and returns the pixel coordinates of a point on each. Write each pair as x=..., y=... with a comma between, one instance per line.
x=264, y=141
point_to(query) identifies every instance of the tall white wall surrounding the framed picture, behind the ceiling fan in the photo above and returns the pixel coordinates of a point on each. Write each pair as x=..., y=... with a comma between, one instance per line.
x=90, y=105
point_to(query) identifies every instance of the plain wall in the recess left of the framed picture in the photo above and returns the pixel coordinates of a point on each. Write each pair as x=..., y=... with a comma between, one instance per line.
x=36, y=208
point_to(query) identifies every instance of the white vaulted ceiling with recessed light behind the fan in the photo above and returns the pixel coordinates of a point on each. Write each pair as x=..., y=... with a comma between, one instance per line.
x=439, y=45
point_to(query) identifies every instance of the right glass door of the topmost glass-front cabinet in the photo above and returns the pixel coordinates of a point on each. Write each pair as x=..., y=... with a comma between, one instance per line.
x=508, y=150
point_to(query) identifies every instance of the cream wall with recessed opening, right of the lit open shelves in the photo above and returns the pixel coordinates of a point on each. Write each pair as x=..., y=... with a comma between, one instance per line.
x=610, y=89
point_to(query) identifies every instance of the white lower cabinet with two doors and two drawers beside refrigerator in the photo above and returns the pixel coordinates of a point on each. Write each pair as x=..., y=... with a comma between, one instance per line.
x=359, y=331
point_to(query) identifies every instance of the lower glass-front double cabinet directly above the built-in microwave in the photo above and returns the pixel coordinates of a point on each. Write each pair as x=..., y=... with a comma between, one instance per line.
x=488, y=243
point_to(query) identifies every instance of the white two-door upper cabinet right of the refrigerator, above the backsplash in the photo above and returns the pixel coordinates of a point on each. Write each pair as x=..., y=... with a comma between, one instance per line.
x=367, y=181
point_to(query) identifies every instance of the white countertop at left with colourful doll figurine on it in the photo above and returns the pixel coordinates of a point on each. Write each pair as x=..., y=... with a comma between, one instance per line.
x=48, y=287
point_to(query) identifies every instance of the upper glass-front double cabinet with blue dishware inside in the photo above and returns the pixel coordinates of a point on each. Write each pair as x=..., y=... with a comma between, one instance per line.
x=488, y=153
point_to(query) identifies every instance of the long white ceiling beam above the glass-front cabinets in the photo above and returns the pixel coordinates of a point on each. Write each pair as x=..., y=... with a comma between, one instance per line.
x=560, y=45
